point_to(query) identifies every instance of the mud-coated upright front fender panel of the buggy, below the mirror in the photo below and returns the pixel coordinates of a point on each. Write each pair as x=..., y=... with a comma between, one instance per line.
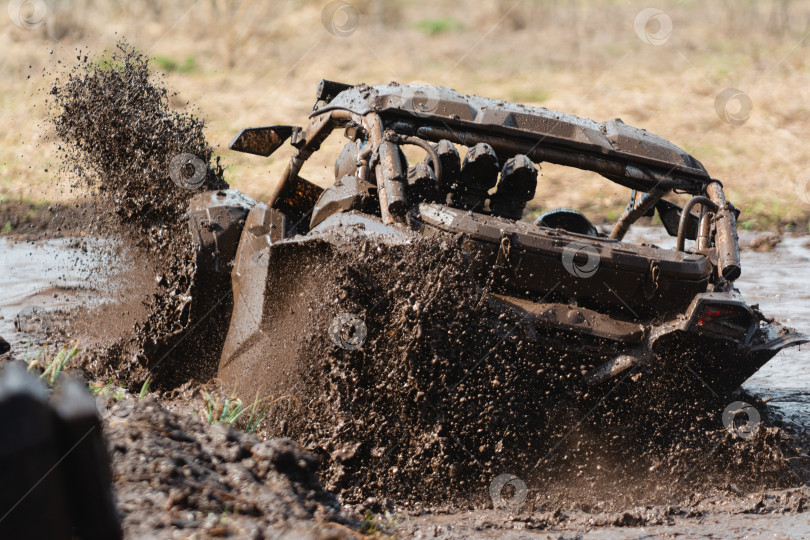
x=274, y=283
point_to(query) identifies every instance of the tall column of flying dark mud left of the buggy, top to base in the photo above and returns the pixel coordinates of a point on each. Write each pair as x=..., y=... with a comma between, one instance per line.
x=142, y=162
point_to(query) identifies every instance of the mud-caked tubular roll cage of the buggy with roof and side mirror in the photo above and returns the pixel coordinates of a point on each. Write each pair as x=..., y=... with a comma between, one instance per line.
x=384, y=117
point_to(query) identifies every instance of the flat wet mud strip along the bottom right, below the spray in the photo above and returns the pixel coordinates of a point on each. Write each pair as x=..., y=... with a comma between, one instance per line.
x=720, y=513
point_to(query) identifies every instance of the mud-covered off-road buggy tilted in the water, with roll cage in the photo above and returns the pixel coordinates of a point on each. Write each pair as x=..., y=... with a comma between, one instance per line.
x=597, y=300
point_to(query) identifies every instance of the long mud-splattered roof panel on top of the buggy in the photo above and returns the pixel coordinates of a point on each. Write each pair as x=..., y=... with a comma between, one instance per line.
x=446, y=107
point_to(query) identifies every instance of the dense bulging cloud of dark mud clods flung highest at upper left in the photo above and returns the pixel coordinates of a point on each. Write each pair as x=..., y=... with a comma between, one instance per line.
x=124, y=139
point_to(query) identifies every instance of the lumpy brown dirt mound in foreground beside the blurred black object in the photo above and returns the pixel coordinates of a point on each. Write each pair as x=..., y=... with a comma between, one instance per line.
x=172, y=472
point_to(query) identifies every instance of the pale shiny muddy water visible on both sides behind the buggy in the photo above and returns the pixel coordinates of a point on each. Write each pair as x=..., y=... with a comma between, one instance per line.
x=62, y=273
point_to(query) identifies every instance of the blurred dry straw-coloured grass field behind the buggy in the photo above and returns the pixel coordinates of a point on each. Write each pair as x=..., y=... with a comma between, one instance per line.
x=246, y=63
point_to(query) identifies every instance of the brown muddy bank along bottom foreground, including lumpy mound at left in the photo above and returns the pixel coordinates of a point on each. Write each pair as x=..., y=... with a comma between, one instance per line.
x=176, y=475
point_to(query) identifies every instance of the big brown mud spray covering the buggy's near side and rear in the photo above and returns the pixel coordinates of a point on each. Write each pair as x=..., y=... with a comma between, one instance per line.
x=448, y=391
